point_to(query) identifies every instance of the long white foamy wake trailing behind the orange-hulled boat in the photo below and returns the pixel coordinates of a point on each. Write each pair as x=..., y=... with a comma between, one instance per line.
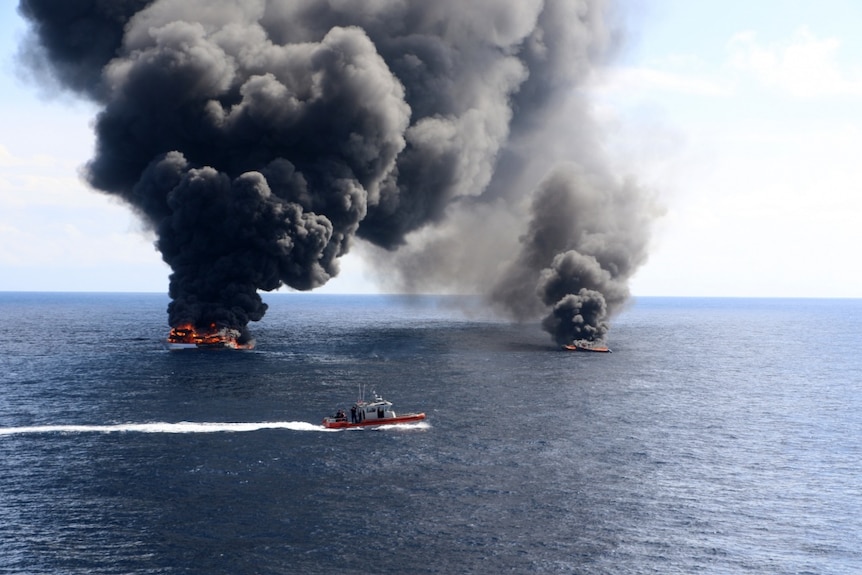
x=161, y=427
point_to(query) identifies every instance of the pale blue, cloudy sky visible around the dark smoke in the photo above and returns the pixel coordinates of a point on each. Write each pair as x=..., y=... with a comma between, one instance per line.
x=743, y=117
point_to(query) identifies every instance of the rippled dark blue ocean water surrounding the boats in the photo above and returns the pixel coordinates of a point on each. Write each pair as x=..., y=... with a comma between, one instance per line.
x=721, y=436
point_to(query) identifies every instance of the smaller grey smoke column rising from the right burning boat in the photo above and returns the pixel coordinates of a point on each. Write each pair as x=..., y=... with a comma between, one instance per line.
x=586, y=237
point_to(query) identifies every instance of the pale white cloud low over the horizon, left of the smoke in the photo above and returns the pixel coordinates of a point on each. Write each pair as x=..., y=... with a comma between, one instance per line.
x=50, y=220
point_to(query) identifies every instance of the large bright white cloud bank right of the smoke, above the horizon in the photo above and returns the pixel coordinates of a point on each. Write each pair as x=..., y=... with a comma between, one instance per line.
x=756, y=155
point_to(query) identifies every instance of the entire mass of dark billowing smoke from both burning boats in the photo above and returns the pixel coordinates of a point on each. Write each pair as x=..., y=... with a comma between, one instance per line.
x=260, y=139
